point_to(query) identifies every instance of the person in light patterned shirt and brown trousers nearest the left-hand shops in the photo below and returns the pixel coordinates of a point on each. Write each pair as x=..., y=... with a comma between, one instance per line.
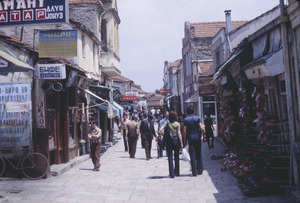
x=94, y=136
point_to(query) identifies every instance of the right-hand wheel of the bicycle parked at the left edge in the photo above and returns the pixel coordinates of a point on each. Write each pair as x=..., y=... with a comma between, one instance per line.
x=34, y=165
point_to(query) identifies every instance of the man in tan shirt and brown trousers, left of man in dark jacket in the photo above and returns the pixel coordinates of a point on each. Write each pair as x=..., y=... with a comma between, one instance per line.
x=132, y=135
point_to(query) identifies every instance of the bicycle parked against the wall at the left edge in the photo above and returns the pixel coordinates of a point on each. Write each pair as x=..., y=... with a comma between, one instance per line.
x=33, y=165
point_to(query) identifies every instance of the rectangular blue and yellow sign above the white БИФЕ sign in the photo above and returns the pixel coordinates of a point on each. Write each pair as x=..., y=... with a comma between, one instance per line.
x=57, y=43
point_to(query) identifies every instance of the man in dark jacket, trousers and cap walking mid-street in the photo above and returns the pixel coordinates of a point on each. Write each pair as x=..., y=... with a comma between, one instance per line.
x=147, y=133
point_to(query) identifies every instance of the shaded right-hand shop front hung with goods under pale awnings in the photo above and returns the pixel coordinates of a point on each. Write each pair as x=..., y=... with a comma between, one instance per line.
x=253, y=117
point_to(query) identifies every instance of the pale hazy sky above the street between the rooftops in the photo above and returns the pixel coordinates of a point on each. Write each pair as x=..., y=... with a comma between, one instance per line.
x=151, y=31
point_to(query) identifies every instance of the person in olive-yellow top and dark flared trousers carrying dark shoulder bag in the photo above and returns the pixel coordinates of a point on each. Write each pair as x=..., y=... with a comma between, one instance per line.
x=174, y=144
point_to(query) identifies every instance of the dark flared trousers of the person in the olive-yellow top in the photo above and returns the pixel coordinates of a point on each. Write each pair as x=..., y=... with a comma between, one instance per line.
x=170, y=148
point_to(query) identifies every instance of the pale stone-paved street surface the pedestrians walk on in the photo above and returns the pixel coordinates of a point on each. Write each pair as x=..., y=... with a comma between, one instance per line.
x=122, y=179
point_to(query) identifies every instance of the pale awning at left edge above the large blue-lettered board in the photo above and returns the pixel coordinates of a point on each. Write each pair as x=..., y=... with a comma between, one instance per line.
x=15, y=65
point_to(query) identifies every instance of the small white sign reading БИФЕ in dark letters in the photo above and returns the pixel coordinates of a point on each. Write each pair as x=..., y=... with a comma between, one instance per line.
x=51, y=71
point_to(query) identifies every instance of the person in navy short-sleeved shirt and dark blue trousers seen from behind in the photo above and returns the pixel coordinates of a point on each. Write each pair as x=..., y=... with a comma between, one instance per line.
x=193, y=129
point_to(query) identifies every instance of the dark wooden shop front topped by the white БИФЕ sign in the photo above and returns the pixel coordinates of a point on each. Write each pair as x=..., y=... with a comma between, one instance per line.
x=60, y=120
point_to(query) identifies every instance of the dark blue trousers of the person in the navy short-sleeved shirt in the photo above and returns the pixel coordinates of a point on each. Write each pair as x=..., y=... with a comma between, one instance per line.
x=195, y=154
